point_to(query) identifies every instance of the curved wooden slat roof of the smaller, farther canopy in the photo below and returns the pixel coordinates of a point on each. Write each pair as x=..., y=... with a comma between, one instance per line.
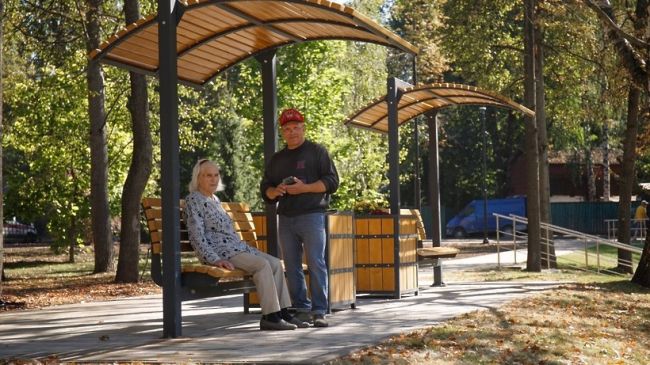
x=423, y=98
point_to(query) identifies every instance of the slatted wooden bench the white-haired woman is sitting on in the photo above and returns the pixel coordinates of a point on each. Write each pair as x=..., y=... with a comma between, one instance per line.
x=199, y=280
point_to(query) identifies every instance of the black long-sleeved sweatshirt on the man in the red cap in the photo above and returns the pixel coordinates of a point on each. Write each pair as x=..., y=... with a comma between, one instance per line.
x=310, y=162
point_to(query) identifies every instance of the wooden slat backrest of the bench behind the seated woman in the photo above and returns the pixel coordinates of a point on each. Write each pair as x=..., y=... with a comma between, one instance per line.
x=239, y=212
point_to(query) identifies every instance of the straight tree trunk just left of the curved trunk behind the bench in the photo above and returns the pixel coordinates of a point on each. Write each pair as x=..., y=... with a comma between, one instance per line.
x=100, y=212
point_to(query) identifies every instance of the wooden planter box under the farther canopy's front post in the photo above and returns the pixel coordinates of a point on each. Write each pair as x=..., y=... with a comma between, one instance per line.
x=386, y=265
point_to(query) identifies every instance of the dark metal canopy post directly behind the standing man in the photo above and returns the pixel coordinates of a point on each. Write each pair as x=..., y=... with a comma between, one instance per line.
x=270, y=105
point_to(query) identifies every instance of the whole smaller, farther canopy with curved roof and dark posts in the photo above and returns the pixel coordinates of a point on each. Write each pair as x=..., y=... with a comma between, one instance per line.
x=404, y=102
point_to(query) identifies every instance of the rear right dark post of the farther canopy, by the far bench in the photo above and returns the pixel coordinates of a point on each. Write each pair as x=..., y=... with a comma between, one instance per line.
x=434, y=192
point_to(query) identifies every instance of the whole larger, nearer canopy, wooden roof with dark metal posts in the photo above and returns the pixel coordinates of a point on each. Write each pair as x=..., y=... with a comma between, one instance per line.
x=191, y=42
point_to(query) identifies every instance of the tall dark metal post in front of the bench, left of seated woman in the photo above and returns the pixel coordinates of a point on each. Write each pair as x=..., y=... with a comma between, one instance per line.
x=169, y=145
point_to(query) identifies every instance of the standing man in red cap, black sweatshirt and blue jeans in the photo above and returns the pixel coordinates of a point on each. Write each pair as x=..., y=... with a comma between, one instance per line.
x=300, y=178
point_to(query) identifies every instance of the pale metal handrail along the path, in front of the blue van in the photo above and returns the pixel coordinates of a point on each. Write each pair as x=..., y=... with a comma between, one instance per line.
x=552, y=230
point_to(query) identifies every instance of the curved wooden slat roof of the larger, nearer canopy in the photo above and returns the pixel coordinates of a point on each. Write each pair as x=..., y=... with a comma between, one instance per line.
x=214, y=35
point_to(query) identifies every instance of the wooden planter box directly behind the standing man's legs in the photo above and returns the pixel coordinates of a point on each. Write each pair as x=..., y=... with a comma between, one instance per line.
x=339, y=257
